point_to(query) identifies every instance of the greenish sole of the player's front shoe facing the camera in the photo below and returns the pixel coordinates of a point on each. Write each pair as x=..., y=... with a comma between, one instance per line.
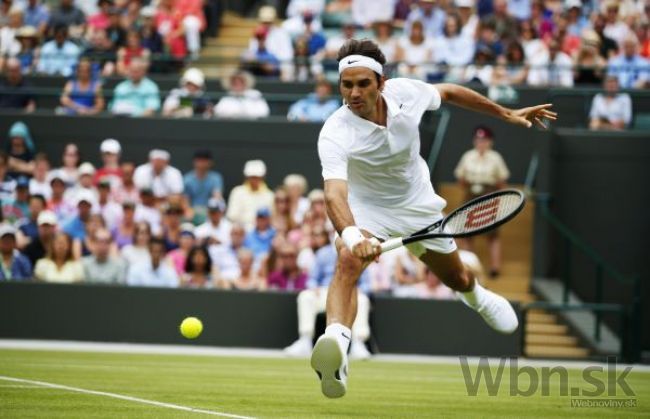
x=327, y=359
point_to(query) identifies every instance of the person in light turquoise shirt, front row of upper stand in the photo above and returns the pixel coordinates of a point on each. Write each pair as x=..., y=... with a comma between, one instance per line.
x=138, y=95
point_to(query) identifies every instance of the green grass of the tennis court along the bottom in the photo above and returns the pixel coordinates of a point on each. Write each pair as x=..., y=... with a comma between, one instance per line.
x=269, y=388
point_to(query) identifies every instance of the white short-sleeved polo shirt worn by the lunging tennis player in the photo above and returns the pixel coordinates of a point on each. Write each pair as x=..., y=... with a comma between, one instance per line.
x=382, y=165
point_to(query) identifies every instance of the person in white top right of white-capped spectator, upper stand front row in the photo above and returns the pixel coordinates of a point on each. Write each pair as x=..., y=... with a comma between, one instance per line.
x=241, y=100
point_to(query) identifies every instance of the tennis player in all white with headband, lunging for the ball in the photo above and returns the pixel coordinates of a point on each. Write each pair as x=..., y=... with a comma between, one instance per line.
x=378, y=186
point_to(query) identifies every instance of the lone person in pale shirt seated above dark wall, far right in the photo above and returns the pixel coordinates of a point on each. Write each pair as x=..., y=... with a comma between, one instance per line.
x=611, y=110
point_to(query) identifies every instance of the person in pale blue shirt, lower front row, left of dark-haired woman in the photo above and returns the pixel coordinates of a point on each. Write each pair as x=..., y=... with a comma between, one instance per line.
x=155, y=272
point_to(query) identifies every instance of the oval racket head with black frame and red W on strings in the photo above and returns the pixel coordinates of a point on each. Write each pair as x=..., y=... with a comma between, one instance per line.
x=484, y=213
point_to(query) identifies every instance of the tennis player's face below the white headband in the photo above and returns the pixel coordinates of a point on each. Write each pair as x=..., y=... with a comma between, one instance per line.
x=360, y=90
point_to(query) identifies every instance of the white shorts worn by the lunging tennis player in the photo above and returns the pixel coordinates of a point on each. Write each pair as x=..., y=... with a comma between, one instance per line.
x=385, y=222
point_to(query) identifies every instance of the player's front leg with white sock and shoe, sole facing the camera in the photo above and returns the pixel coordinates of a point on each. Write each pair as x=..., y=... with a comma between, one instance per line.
x=329, y=357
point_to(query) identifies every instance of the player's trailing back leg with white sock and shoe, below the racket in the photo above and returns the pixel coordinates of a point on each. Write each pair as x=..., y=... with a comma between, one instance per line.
x=495, y=310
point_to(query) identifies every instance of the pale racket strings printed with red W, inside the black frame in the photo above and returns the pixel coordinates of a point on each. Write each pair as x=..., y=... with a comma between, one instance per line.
x=482, y=214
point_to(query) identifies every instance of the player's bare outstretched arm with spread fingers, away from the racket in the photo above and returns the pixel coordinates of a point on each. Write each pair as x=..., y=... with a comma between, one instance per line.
x=469, y=99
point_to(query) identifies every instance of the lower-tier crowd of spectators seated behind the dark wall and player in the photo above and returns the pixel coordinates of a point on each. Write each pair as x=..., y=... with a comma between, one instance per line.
x=149, y=224
